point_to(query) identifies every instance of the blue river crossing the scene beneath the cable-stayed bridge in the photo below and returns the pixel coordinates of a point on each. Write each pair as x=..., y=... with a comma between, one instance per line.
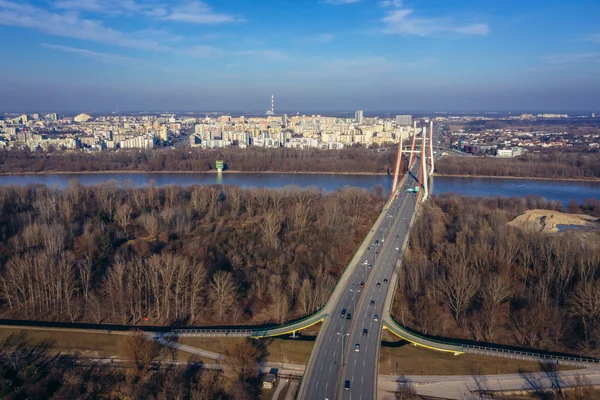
x=552, y=190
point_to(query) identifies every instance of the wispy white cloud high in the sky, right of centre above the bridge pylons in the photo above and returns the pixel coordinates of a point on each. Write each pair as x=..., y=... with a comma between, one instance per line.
x=403, y=22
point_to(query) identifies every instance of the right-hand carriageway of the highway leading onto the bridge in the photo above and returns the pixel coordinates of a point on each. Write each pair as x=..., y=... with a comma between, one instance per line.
x=362, y=356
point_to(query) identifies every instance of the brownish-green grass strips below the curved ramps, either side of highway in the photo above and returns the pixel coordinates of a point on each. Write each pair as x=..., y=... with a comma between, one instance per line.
x=396, y=356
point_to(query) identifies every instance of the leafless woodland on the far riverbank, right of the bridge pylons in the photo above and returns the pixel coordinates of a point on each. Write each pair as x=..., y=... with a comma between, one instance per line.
x=554, y=164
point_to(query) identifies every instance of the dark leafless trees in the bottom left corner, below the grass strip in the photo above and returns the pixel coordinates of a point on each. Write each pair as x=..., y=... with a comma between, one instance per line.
x=32, y=370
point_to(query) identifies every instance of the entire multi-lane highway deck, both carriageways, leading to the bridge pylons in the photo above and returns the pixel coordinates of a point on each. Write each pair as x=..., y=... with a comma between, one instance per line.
x=333, y=354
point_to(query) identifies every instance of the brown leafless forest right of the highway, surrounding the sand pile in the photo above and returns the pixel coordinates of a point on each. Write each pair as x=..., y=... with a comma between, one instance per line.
x=469, y=275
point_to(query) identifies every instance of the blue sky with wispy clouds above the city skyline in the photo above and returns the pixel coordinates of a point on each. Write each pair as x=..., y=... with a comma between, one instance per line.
x=314, y=55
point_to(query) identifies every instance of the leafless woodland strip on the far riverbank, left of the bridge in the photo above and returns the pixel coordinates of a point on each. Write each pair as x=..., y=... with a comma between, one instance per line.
x=188, y=159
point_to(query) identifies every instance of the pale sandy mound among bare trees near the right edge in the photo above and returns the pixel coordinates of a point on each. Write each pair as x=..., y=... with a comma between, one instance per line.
x=547, y=221
